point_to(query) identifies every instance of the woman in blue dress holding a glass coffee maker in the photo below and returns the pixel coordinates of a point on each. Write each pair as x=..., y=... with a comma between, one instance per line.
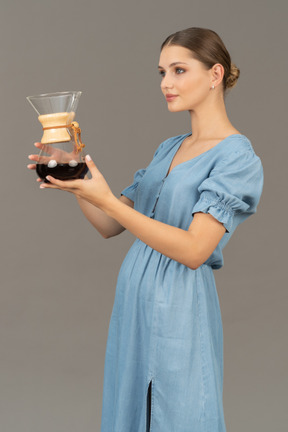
x=164, y=355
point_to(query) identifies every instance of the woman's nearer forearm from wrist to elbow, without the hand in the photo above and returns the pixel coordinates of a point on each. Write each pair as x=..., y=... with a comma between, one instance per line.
x=176, y=243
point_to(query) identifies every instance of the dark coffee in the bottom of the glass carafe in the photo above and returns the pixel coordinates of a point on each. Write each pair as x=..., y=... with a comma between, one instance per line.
x=62, y=171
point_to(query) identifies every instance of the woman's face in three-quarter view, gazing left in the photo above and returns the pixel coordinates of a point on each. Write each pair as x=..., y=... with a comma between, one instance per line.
x=188, y=79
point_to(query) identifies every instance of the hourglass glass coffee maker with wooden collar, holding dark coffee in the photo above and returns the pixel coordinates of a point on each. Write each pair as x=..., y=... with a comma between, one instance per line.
x=62, y=154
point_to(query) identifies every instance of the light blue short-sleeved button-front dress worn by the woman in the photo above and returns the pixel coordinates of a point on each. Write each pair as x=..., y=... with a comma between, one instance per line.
x=164, y=355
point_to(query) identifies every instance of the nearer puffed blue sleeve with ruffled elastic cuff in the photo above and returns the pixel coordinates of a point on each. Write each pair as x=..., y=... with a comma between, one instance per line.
x=233, y=189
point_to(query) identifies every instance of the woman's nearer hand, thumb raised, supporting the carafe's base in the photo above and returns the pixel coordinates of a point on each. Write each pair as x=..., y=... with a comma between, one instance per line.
x=94, y=190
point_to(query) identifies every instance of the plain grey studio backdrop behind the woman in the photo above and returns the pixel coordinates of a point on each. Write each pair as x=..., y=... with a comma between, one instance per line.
x=58, y=275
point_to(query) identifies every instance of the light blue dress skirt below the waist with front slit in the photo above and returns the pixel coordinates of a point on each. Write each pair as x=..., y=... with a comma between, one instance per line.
x=165, y=330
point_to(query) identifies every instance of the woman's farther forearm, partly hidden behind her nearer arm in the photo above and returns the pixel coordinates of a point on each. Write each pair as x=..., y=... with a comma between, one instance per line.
x=105, y=225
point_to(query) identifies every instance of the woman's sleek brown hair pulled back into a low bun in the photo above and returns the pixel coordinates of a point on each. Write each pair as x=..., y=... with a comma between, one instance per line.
x=207, y=47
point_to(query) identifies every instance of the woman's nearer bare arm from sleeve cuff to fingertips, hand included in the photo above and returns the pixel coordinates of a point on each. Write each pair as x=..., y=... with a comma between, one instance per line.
x=191, y=247
